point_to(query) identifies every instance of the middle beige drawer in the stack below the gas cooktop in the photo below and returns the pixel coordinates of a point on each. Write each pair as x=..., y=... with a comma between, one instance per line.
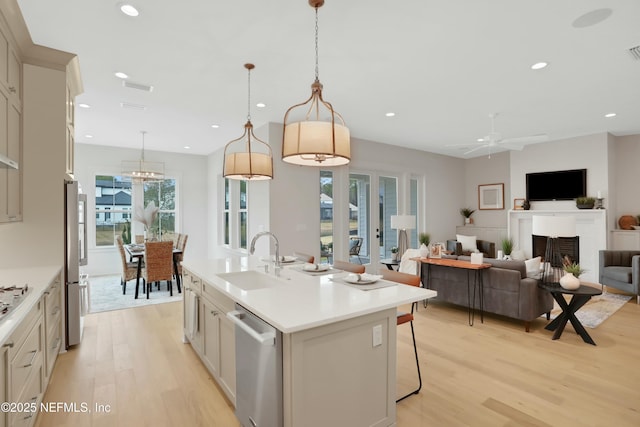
x=26, y=359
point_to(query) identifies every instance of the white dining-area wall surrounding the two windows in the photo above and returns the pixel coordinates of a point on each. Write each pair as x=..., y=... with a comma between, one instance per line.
x=193, y=184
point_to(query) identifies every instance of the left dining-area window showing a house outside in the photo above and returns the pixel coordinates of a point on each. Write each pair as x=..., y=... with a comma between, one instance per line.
x=113, y=209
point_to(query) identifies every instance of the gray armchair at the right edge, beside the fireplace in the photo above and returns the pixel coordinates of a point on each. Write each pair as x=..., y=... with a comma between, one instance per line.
x=621, y=270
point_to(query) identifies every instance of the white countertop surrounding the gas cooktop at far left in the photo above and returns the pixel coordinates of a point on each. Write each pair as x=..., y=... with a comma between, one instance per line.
x=38, y=278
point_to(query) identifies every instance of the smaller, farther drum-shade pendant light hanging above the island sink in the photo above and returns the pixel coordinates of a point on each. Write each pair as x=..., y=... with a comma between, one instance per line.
x=248, y=158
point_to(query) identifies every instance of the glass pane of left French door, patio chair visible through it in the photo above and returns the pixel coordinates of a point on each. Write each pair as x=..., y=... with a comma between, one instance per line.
x=359, y=210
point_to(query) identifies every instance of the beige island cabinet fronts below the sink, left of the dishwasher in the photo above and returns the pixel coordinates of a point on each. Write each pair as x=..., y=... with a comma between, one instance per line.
x=214, y=339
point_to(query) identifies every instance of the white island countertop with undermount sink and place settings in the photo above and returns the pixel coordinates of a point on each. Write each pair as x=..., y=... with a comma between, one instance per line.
x=297, y=301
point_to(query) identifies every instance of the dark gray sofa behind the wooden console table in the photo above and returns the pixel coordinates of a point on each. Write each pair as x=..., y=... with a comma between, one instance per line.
x=507, y=289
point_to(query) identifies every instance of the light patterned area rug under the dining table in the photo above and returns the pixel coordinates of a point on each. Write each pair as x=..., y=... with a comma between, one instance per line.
x=105, y=294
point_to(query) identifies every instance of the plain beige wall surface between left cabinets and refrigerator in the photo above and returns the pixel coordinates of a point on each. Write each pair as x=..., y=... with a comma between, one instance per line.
x=39, y=238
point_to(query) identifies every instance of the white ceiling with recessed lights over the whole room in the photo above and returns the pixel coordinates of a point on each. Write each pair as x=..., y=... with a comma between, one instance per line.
x=442, y=66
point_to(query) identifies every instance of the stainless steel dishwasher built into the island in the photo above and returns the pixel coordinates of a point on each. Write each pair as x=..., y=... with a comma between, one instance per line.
x=258, y=370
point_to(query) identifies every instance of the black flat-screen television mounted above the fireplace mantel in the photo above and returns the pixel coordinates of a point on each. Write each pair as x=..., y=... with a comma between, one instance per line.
x=557, y=185
